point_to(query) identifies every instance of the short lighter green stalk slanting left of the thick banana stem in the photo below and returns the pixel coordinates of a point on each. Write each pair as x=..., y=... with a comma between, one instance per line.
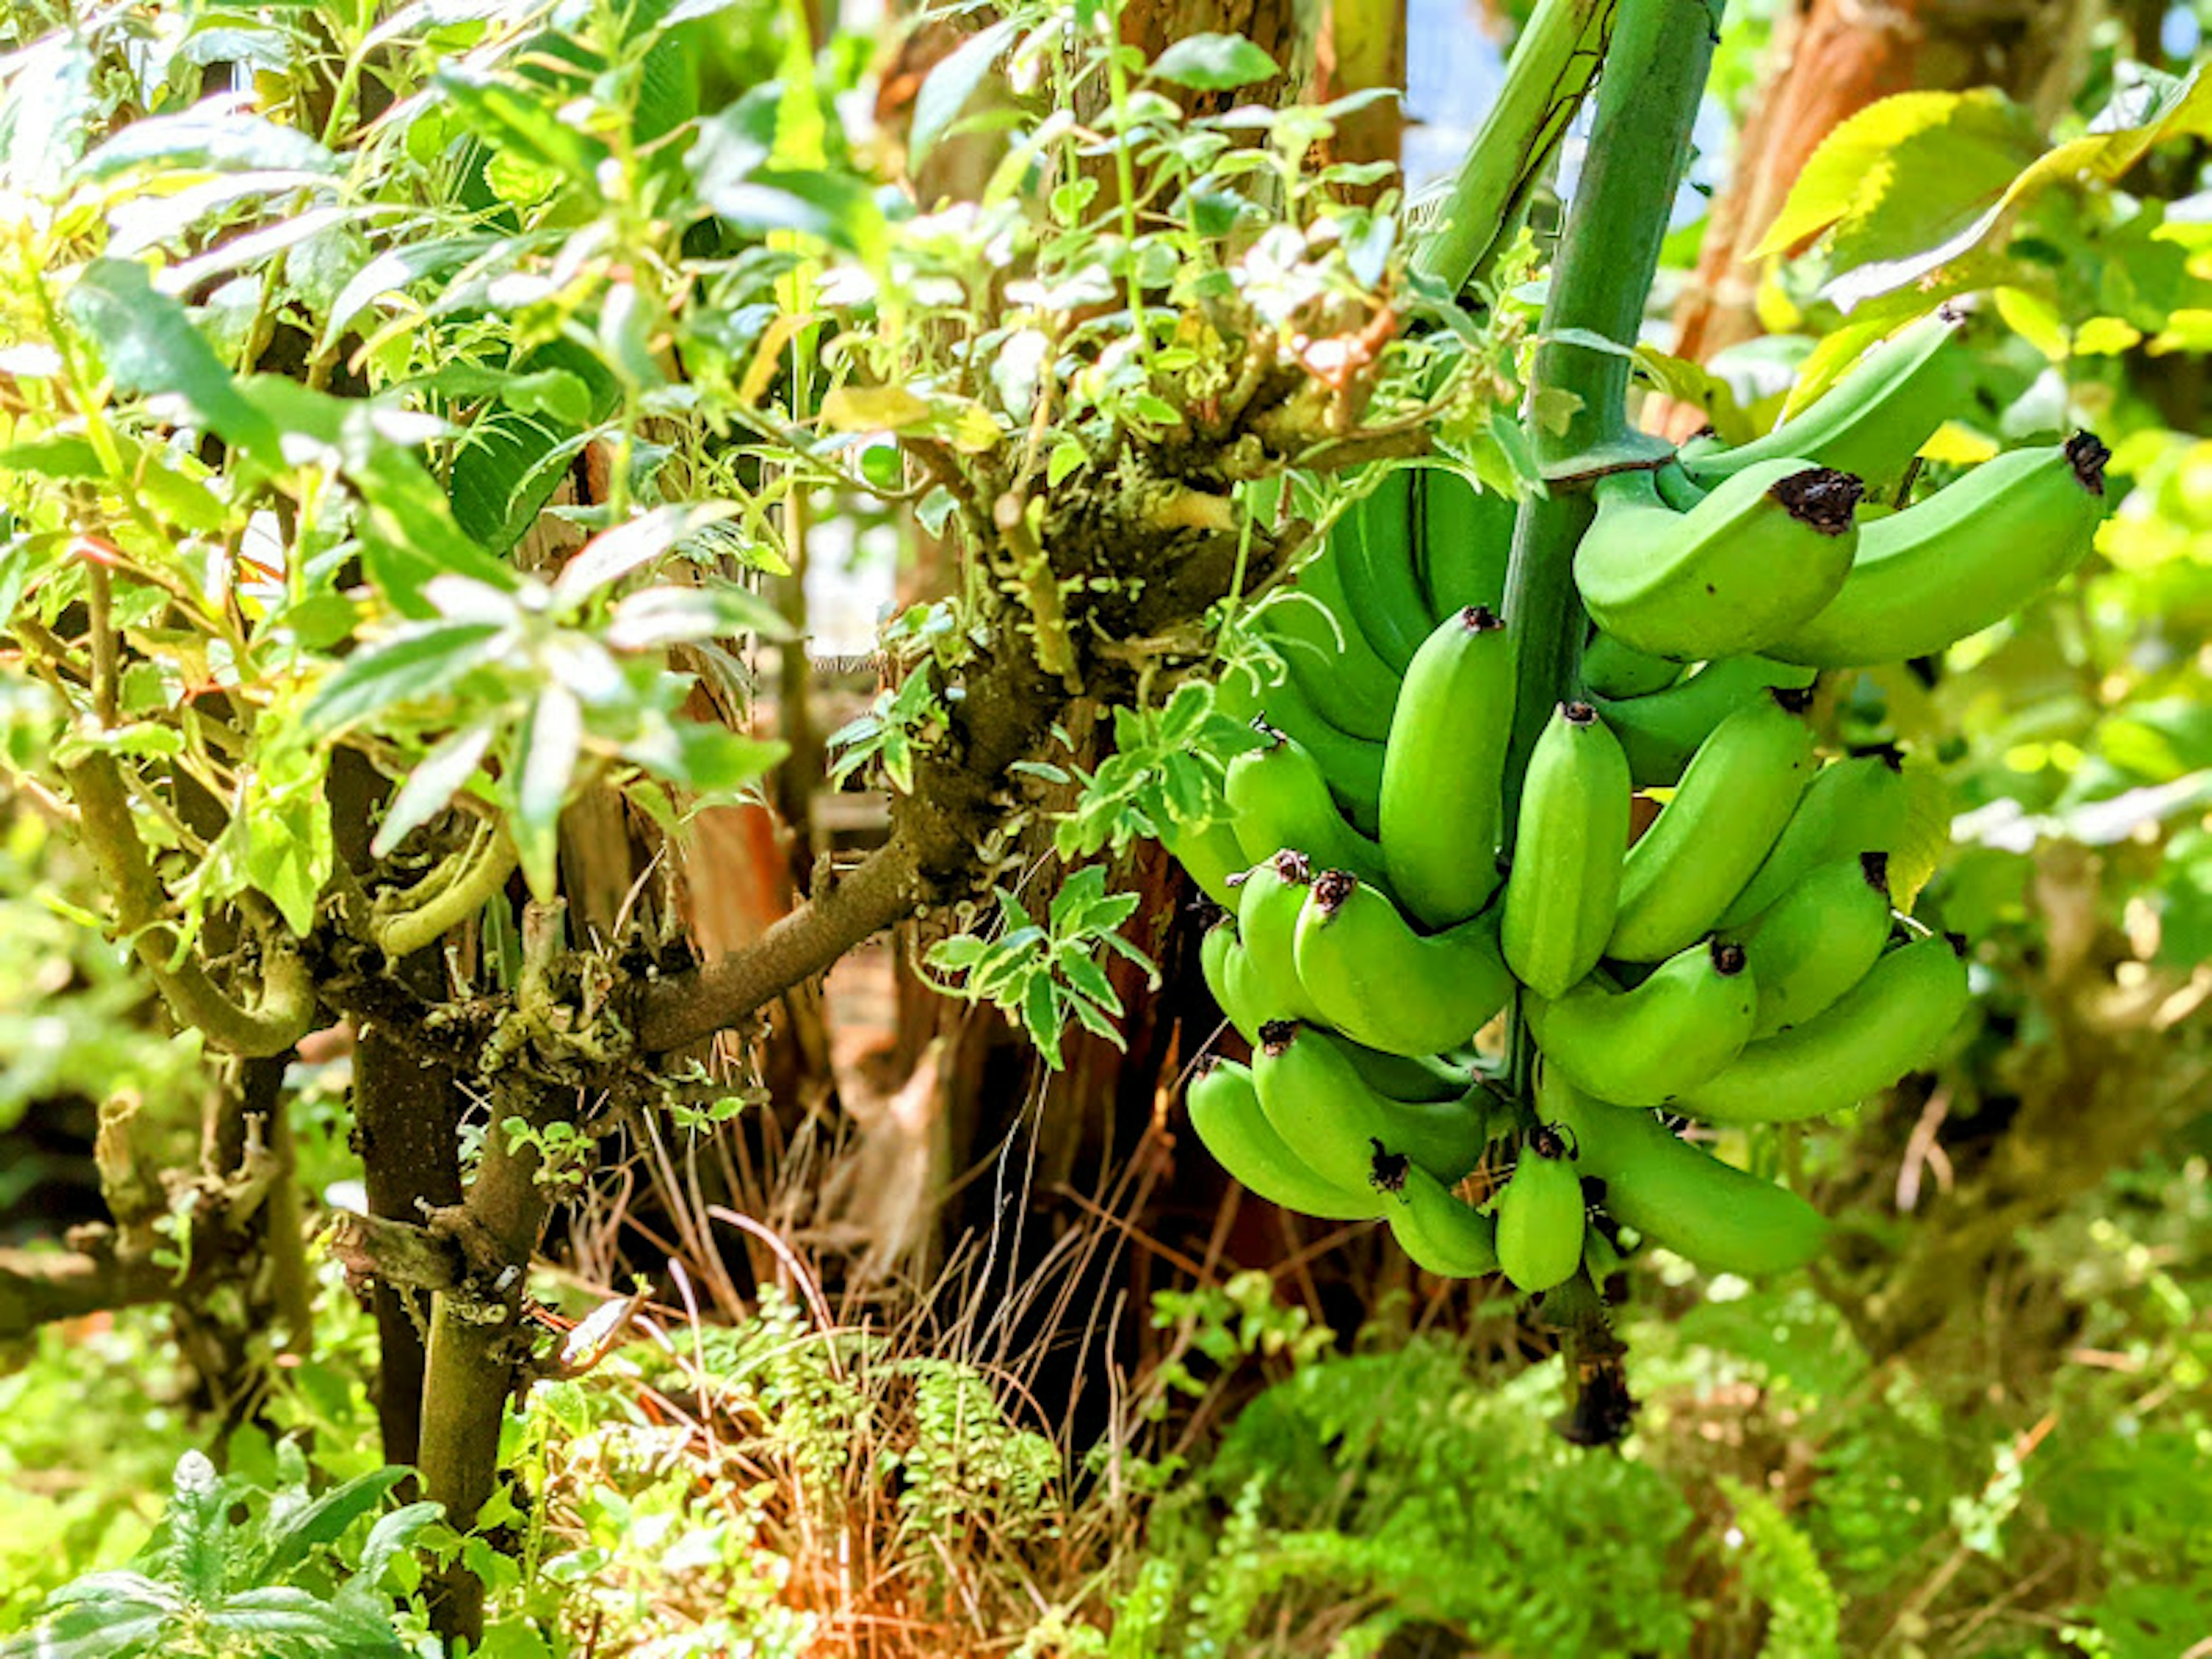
x=1552, y=70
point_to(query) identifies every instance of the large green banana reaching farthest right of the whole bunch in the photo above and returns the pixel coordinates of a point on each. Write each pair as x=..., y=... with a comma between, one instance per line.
x=1961, y=561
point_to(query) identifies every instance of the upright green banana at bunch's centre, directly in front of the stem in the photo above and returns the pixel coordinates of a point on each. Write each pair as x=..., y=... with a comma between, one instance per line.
x=1565, y=877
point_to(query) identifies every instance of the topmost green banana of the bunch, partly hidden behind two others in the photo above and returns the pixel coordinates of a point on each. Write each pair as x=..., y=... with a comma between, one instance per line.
x=1875, y=419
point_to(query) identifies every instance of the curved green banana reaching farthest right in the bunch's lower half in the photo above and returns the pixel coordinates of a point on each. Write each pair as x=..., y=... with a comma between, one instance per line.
x=1877, y=1032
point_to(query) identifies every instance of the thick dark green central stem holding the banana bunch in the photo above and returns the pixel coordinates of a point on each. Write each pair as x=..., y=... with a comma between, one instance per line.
x=1609, y=251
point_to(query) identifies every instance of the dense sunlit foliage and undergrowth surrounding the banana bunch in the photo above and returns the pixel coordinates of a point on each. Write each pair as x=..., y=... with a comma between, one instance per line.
x=941, y=1344
